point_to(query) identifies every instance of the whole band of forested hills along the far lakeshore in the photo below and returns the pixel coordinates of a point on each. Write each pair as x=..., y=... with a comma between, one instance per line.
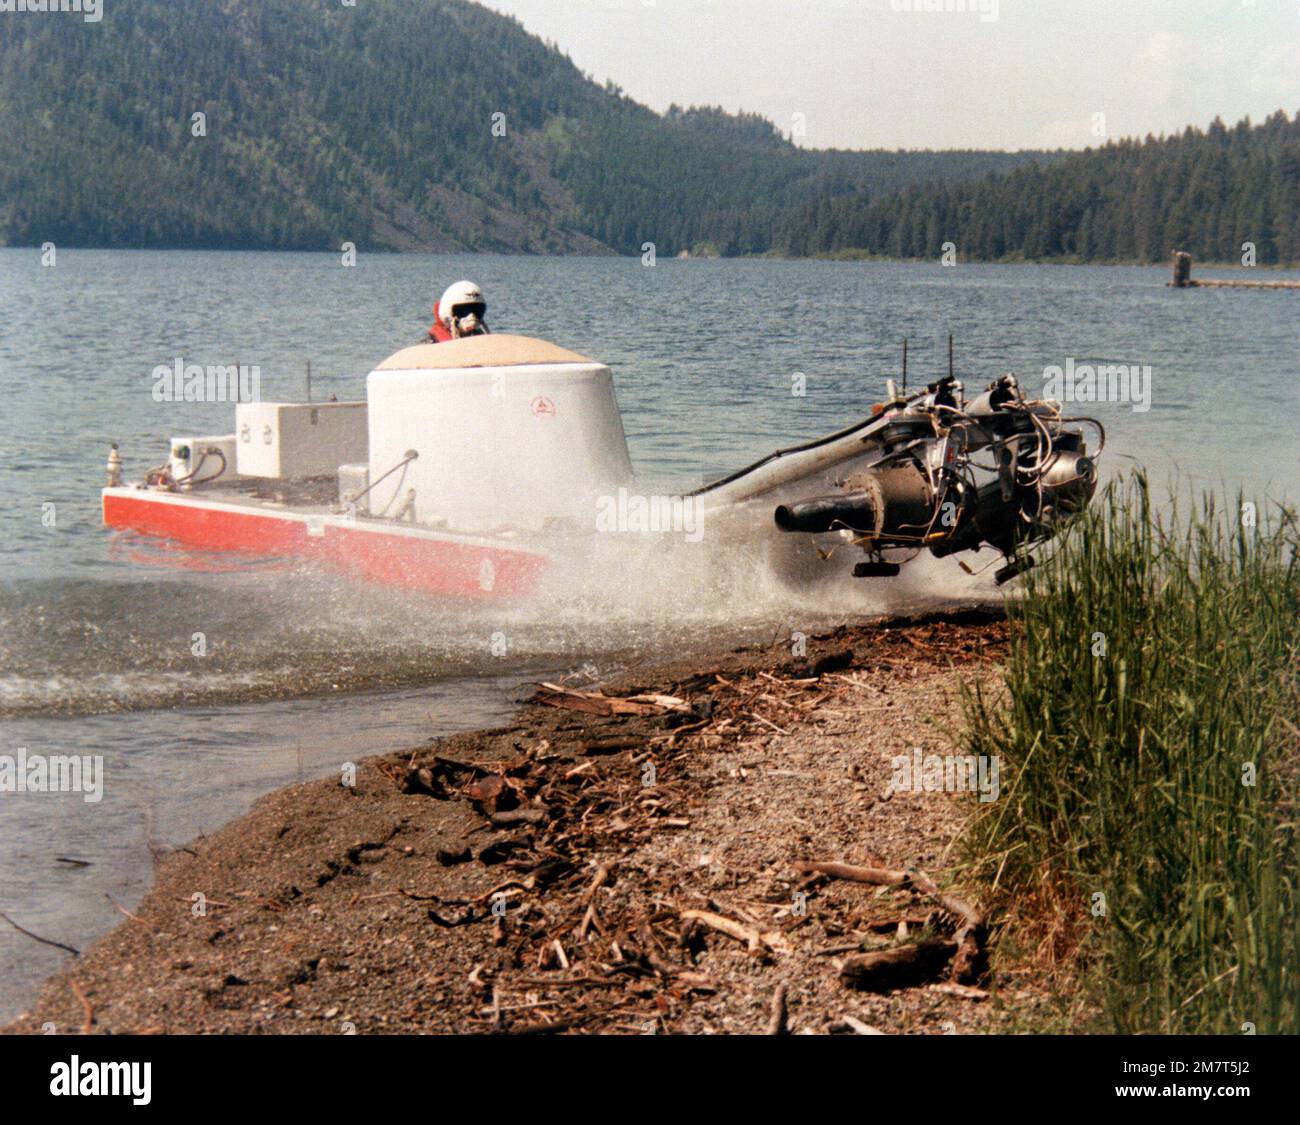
x=441, y=126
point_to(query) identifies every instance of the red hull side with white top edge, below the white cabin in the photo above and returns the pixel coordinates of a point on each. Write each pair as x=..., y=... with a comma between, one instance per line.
x=415, y=559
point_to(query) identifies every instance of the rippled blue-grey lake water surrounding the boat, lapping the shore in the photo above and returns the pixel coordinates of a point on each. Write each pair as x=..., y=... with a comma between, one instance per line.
x=96, y=630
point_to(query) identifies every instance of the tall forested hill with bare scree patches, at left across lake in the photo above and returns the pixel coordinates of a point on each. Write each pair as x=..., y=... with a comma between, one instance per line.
x=374, y=124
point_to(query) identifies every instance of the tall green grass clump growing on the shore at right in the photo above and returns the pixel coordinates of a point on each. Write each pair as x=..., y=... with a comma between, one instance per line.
x=1154, y=664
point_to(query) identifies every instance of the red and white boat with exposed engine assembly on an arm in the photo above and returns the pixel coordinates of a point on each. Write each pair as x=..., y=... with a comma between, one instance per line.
x=474, y=466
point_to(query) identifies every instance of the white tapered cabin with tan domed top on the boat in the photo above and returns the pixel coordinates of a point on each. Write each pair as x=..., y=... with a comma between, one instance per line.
x=509, y=432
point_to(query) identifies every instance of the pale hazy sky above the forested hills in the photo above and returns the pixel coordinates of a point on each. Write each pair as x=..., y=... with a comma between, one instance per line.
x=1003, y=75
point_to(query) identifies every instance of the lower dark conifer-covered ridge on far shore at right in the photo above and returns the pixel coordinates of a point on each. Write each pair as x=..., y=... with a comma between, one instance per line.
x=1207, y=192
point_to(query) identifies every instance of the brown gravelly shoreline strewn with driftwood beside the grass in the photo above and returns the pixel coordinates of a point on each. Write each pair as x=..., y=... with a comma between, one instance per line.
x=625, y=873
